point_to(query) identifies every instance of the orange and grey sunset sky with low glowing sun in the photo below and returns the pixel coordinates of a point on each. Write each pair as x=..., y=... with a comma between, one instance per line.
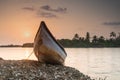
x=20, y=19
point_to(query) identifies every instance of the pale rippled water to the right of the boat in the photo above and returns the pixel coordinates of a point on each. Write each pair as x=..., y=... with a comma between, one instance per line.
x=96, y=62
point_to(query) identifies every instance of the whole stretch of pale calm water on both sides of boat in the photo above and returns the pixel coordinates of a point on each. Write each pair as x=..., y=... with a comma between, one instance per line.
x=95, y=62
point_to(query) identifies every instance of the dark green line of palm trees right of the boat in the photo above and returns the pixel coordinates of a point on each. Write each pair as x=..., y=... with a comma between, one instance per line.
x=94, y=41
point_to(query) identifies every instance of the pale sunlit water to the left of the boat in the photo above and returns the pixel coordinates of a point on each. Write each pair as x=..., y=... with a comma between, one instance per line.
x=16, y=53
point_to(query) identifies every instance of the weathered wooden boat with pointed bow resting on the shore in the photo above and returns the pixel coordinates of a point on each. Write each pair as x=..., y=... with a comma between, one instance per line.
x=46, y=48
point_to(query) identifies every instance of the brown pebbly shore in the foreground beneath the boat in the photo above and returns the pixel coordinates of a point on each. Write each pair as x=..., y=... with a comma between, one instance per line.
x=33, y=70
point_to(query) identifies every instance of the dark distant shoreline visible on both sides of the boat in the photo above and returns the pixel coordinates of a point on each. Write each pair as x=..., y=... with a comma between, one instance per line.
x=83, y=42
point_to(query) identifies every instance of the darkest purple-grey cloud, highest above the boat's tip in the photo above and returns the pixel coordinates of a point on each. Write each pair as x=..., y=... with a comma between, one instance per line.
x=58, y=10
